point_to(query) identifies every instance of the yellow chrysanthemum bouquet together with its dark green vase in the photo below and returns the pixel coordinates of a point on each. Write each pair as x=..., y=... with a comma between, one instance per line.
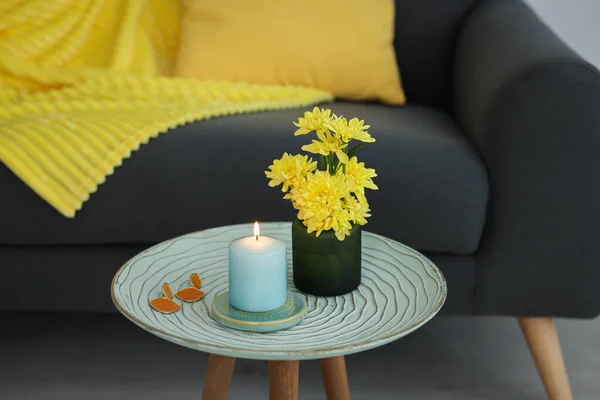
x=329, y=195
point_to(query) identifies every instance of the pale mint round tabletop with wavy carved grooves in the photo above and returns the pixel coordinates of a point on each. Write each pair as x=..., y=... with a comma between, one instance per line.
x=400, y=291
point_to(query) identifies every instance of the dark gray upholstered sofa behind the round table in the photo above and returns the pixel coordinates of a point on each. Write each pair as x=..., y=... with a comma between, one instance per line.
x=492, y=170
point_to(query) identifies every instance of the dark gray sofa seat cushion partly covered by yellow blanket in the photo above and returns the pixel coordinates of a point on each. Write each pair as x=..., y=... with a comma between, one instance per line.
x=433, y=185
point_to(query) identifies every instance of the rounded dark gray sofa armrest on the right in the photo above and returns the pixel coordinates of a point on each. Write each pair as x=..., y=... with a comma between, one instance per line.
x=531, y=106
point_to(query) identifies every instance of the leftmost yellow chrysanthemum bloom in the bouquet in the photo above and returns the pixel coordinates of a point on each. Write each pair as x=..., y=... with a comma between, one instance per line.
x=290, y=170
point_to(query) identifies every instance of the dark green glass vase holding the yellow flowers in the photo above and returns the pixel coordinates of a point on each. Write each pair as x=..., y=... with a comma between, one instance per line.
x=324, y=265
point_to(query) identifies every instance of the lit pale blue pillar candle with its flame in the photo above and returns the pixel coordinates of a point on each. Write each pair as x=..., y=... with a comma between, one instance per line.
x=257, y=273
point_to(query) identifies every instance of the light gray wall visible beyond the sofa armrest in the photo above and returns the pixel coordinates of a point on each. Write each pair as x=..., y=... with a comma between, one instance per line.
x=576, y=21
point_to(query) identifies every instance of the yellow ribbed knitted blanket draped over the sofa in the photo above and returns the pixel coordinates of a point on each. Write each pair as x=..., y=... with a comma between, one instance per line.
x=83, y=83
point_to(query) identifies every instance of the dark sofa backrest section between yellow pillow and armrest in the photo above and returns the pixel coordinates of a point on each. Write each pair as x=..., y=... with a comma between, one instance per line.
x=426, y=31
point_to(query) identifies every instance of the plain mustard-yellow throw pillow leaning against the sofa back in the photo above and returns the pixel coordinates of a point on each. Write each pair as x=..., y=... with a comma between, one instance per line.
x=343, y=46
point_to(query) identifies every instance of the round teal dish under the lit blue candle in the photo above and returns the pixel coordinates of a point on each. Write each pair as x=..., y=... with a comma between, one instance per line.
x=284, y=317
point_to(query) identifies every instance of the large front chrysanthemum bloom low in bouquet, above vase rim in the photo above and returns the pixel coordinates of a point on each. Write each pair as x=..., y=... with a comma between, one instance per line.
x=320, y=204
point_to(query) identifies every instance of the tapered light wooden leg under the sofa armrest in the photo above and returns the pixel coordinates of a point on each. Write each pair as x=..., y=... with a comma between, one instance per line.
x=544, y=345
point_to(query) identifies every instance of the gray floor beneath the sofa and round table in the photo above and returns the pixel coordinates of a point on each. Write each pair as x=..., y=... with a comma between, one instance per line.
x=64, y=356
